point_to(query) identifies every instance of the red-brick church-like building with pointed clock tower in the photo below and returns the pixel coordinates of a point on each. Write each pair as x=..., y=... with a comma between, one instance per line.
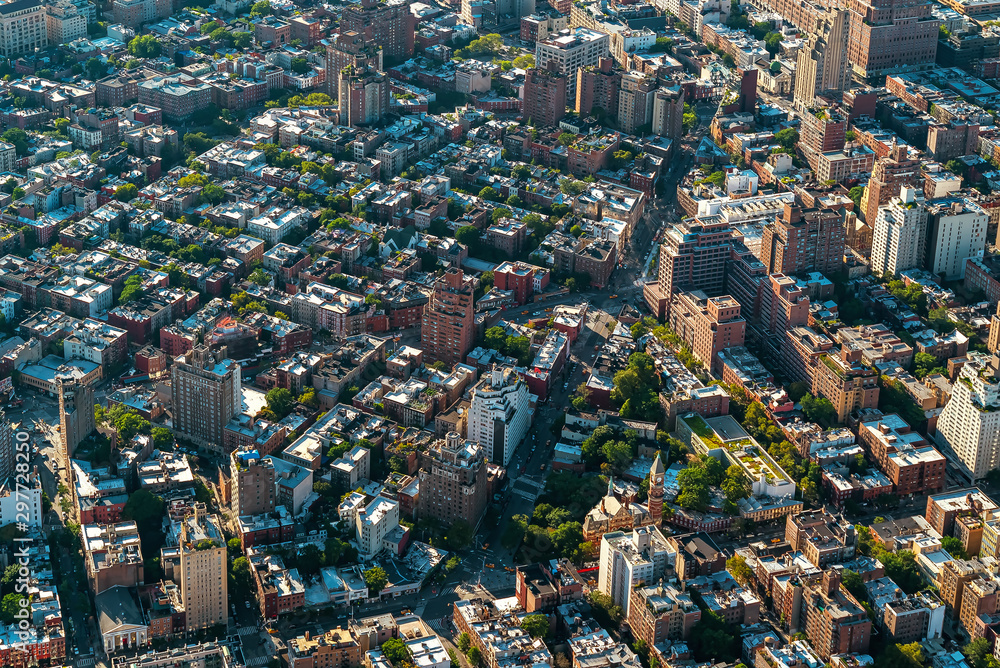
x=618, y=510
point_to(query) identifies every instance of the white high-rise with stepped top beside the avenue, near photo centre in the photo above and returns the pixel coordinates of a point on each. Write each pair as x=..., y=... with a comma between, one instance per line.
x=500, y=414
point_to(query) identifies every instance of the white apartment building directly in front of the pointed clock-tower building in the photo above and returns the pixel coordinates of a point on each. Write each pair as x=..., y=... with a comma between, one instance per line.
x=627, y=559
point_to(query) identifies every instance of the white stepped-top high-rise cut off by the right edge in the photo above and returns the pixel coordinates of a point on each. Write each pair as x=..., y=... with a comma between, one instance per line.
x=969, y=425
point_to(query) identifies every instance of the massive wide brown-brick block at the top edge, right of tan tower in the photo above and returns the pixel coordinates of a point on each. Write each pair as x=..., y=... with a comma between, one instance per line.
x=890, y=34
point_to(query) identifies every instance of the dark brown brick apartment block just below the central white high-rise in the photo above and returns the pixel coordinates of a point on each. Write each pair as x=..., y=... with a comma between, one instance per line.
x=453, y=481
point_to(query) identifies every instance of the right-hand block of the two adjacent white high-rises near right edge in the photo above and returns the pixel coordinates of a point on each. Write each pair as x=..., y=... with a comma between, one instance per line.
x=956, y=232
